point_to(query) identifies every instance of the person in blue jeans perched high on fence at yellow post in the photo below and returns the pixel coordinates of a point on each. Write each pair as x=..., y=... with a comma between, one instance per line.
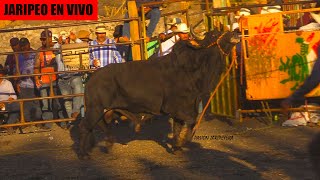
x=151, y=12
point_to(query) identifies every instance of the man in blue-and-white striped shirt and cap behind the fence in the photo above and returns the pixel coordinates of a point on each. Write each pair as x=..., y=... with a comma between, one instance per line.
x=101, y=56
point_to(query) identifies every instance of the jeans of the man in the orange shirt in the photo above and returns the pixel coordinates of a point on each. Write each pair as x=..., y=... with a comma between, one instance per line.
x=50, y=105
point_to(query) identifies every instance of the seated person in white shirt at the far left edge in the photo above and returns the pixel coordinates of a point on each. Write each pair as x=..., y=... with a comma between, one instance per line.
x=7, y=93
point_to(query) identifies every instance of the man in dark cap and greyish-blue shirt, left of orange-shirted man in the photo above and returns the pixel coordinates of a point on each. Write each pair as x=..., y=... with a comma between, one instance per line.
x=25, y=85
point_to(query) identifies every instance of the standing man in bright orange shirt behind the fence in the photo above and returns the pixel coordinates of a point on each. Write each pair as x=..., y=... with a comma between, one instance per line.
x=46, y=63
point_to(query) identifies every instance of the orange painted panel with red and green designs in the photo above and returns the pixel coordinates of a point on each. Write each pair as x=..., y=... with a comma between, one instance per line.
x=277, y=62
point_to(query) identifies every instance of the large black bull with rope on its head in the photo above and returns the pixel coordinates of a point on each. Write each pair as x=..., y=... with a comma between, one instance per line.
x=172, y=85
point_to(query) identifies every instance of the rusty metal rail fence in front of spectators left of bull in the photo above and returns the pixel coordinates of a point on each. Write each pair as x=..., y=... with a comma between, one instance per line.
x=141, y=42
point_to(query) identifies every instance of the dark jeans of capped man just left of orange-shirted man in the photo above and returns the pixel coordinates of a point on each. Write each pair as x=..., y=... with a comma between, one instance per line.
x=31, y=109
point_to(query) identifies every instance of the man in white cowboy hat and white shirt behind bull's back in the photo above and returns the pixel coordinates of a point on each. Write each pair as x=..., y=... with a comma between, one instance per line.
x=169, y=38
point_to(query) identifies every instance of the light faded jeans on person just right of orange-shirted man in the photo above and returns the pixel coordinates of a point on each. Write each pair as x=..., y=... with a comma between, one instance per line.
x=72, y=85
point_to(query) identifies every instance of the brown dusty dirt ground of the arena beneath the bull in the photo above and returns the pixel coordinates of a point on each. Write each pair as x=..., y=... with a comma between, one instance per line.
x=256, y=151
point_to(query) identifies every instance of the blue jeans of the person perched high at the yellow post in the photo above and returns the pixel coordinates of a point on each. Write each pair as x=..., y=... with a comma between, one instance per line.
x=154, y=16
